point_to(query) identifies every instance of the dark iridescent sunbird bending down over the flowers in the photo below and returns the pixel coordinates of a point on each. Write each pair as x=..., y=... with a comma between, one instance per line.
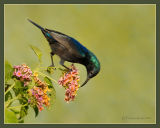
x=69, y=49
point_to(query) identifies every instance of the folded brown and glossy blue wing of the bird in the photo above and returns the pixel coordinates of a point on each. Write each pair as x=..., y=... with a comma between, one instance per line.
x=70, y=43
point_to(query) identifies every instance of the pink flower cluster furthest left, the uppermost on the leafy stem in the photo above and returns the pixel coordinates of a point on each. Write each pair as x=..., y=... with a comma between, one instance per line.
x=23, y=73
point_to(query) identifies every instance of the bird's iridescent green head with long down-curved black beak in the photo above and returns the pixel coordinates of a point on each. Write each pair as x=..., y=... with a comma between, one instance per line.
x=93, y=67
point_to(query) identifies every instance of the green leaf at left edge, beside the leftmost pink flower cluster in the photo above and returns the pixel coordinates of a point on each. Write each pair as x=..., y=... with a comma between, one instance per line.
x=8, y=71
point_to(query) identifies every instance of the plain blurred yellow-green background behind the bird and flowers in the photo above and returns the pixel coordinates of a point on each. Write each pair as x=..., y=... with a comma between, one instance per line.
x=123, y=39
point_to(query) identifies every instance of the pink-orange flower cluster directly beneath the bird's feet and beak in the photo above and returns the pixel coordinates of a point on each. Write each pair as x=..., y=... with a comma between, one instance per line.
x=70, y=81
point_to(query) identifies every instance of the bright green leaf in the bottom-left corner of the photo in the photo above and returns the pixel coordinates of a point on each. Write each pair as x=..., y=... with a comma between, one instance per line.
x=10, y=117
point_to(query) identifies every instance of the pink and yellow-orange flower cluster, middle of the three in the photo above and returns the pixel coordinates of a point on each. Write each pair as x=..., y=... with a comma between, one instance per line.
x=38, y=94
